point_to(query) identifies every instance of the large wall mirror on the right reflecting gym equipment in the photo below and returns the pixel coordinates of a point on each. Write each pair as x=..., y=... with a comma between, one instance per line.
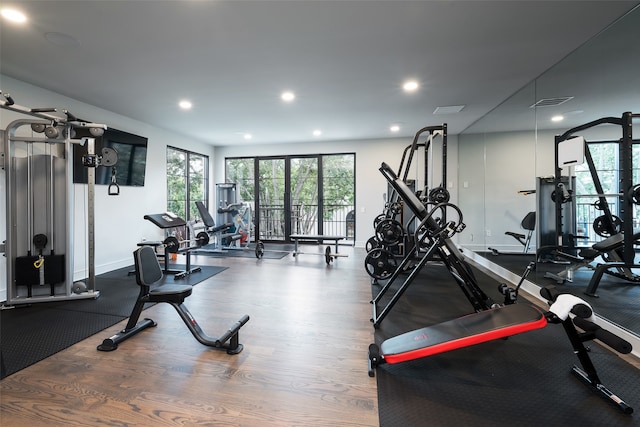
x=506, y=158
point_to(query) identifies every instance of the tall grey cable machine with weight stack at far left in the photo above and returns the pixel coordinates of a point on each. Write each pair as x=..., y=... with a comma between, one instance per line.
x=37, y=159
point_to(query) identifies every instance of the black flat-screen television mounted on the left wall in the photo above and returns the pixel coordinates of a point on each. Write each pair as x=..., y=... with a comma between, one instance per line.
x=132, y=158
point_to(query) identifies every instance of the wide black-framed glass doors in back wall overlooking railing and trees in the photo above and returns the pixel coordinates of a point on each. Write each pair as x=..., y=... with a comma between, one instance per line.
x=312, y=194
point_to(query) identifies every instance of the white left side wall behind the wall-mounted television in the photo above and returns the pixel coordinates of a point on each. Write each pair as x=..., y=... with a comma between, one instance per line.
x=119, y=220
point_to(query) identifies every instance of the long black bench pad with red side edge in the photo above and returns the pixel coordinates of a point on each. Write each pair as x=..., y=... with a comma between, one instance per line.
x=465, y=331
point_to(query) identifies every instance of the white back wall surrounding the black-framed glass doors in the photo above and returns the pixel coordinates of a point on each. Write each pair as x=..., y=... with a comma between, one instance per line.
x=370, y=184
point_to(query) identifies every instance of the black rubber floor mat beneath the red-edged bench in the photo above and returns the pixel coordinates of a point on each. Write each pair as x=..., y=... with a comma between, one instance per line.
x=524, y=380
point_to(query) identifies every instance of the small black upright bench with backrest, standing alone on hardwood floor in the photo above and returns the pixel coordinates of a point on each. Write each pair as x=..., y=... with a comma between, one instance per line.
x=148, y=273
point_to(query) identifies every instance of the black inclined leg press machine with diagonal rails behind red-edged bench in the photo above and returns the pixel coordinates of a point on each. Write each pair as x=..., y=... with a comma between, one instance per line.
x=432, y=238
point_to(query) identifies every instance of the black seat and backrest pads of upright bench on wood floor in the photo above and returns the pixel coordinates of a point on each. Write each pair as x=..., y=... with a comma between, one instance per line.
x=149, y=272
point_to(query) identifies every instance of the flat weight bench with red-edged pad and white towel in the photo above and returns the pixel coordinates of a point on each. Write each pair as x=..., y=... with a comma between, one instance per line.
x=503, y=322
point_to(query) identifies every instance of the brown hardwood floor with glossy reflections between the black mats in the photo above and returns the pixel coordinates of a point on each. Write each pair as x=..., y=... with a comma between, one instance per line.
x=304, y=361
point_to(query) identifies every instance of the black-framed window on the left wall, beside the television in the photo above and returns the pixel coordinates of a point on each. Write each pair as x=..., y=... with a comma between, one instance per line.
x=187, y=182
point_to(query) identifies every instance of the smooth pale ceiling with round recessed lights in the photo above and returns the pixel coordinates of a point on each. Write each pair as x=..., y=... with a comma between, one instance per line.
x=345, y=60
